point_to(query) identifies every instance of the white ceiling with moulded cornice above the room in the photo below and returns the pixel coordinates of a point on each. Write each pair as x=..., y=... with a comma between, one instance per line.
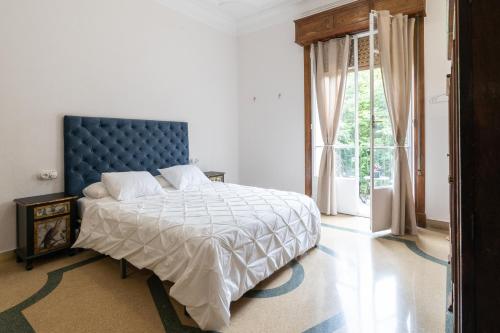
x=243, y=16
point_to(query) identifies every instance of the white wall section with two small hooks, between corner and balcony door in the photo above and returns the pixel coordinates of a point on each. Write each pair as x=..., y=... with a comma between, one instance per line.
x=271, y=128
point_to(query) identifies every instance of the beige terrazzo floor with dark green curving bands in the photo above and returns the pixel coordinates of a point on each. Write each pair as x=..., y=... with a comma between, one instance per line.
x=354, y=281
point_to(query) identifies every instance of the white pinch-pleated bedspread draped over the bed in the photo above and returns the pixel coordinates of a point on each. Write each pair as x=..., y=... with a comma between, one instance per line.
x=215, y=241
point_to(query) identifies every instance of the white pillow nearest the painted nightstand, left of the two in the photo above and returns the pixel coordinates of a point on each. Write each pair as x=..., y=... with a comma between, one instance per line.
x=131, y=184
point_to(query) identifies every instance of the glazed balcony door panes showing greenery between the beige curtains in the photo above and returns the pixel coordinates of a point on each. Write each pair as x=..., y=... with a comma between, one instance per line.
x=353, y=143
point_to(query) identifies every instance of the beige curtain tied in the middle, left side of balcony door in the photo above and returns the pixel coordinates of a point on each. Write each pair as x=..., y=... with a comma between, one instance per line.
x=329, y=65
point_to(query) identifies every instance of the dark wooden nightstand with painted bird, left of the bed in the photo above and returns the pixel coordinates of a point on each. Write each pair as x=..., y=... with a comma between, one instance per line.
x=45, y=224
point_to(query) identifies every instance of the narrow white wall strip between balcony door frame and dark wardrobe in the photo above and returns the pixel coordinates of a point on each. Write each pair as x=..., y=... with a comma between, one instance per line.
x=437, y=67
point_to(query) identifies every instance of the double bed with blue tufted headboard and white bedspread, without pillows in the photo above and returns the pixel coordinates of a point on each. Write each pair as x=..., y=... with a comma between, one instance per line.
x=214, y=241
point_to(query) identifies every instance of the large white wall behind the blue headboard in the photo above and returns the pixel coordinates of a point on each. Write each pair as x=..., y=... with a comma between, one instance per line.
x=114, y=58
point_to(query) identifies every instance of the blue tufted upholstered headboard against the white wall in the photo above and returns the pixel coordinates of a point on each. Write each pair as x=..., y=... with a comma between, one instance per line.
x=96, y=145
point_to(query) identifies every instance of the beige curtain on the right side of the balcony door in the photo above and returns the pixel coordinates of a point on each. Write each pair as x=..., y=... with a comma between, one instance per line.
x=396, y=44
